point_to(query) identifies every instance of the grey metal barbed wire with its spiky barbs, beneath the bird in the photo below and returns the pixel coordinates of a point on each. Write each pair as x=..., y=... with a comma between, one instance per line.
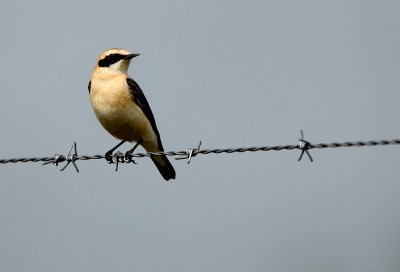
x=188, y=154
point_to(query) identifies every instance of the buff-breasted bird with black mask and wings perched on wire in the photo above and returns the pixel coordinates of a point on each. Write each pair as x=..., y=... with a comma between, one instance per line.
x=122, y=108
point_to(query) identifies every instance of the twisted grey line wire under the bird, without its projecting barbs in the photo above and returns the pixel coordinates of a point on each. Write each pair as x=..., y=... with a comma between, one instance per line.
x=60, y=158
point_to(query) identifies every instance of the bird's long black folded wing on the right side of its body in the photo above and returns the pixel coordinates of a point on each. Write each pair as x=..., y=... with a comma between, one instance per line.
x=141, y=101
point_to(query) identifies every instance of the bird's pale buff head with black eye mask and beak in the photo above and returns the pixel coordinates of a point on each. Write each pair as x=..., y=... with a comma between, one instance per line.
x=115, y=60
